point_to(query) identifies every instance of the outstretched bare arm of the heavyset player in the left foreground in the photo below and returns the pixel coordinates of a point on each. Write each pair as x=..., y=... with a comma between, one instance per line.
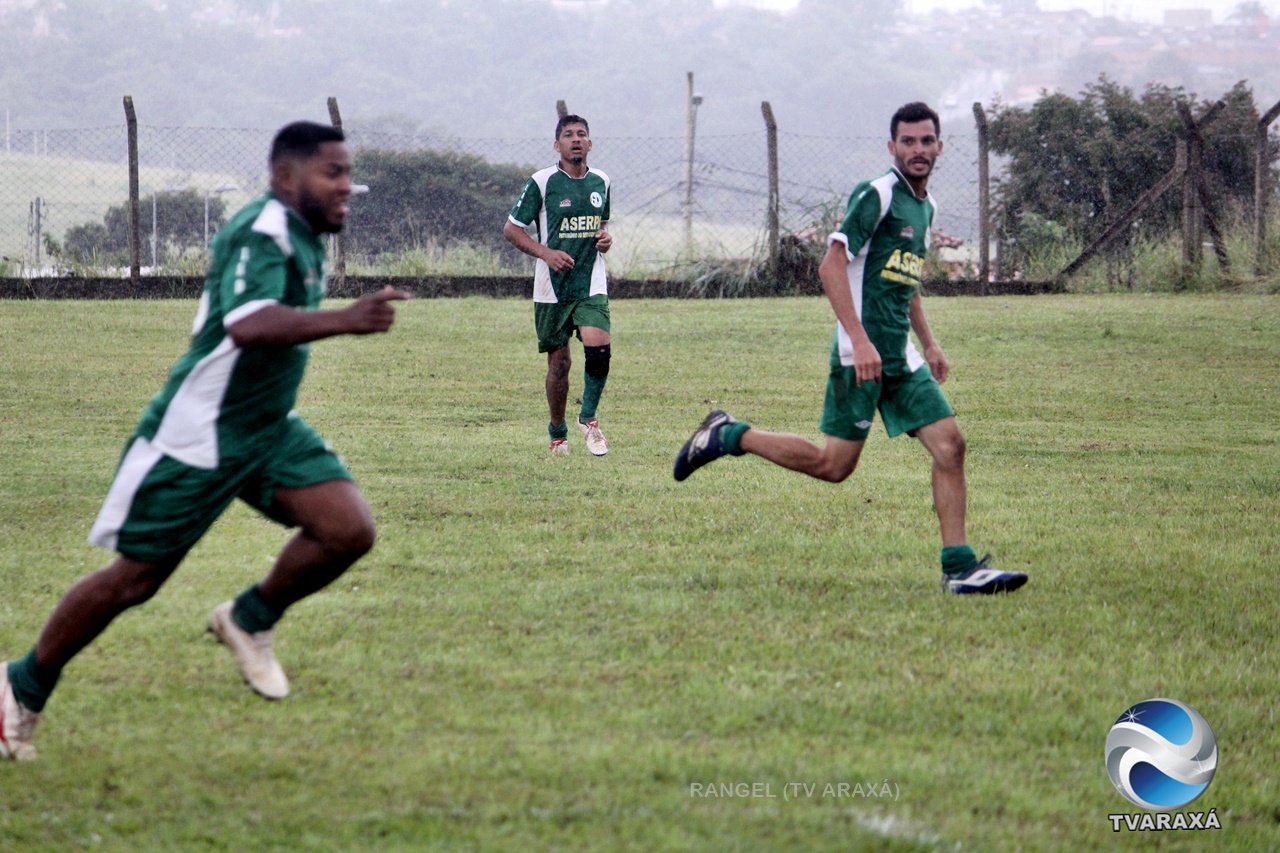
x=281, y=326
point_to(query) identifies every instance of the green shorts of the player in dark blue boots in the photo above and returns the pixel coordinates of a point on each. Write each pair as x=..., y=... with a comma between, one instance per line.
x=906, y=404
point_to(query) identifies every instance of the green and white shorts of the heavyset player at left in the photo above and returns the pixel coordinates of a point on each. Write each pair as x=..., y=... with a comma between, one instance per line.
x=159, y=508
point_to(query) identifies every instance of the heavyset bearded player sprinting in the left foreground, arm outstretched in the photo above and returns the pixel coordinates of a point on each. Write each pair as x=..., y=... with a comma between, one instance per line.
x=225, y=428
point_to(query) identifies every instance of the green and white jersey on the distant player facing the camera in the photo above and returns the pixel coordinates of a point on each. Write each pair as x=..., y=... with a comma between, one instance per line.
x=569, y=212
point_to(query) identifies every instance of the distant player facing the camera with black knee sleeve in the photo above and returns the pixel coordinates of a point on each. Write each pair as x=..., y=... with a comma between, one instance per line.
x=570, y=204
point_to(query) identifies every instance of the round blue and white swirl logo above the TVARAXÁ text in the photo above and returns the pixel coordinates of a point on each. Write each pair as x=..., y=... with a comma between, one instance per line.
x=1162, y=755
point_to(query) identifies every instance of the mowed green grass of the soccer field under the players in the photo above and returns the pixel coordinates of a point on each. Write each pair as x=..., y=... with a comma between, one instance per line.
x=550, y=654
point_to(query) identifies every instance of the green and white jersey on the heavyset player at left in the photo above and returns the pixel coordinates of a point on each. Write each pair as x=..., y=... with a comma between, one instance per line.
x=223, y=403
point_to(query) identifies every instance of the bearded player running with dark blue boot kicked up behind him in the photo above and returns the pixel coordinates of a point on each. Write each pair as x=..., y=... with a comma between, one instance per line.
x=872, y=279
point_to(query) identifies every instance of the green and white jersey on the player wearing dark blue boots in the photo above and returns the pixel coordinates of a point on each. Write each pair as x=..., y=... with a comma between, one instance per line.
x=886, y=235
